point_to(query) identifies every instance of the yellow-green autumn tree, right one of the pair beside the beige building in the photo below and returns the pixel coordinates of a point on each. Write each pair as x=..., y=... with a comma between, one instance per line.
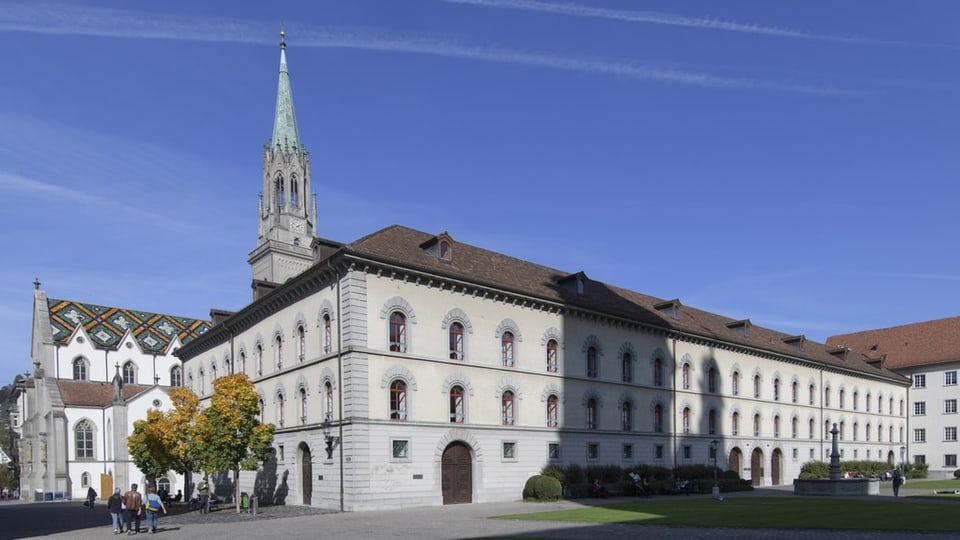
x=229, y=435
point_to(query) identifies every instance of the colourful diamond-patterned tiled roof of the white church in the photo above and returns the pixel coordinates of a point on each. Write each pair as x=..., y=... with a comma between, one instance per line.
x=106, y=326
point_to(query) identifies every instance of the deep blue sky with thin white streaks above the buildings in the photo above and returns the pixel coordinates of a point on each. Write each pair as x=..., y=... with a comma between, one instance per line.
x=790, y=163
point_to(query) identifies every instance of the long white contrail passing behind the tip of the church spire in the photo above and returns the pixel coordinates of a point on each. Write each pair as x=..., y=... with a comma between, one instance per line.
x=105, y=22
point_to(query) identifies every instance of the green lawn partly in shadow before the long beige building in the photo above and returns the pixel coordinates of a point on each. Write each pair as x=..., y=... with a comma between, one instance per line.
x=761, y=512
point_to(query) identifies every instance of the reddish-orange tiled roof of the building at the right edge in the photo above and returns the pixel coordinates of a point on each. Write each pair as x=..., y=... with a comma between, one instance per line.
x=911, y=345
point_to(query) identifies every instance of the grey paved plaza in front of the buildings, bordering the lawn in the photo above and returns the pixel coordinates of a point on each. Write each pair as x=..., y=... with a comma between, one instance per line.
x=71, y=520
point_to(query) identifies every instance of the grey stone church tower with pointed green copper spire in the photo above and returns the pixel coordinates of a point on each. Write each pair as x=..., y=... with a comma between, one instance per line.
x=286, y=225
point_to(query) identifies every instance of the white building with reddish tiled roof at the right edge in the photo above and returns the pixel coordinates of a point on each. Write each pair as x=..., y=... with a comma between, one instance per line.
x=928, y=354
